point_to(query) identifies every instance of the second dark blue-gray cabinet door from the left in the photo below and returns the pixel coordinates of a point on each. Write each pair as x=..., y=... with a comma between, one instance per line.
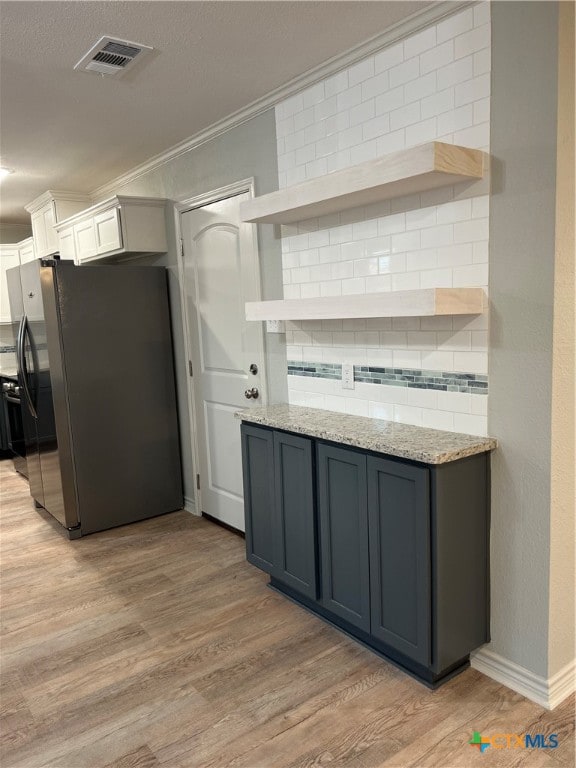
x=295, y=526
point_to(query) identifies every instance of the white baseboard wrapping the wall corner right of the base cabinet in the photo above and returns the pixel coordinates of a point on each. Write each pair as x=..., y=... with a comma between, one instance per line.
x=548, y=692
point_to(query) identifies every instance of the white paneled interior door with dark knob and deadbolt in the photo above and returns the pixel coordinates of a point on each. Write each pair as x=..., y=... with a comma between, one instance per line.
x=220, y=274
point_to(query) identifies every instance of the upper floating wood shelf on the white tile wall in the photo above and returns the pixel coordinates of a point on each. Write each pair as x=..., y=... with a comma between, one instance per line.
x=401, y=173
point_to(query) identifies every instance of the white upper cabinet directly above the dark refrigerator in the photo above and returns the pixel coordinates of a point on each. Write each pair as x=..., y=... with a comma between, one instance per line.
x=119, y=226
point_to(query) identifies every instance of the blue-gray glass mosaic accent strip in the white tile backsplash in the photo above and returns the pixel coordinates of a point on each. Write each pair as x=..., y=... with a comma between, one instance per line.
x=445, y=381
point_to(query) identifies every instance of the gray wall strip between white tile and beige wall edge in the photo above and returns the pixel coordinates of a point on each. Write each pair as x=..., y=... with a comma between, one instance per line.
x=522, y=243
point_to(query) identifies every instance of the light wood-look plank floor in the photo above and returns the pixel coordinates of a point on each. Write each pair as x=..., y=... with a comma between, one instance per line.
x=156, y=644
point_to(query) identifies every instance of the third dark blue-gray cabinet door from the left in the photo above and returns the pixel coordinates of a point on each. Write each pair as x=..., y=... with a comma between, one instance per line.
x=344, y=534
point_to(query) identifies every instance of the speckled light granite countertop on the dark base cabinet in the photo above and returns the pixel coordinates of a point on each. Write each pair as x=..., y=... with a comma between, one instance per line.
x=430, y=446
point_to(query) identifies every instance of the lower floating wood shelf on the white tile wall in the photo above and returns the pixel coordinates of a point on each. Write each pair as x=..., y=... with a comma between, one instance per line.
x=419, y=303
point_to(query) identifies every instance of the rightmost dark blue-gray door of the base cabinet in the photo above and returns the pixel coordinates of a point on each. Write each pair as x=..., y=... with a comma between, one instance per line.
x=400, y=568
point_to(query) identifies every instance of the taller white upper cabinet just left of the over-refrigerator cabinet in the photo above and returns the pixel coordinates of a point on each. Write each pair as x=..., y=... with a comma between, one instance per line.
x=46, y=211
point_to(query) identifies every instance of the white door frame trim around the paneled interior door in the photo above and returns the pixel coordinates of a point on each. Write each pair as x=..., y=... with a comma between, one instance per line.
x=180, y=208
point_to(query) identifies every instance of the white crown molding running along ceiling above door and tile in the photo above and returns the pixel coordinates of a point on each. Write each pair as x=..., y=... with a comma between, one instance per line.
x=408, y=26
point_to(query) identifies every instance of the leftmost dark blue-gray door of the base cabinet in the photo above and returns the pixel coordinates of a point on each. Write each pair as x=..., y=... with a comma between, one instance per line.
x=258, y=470
